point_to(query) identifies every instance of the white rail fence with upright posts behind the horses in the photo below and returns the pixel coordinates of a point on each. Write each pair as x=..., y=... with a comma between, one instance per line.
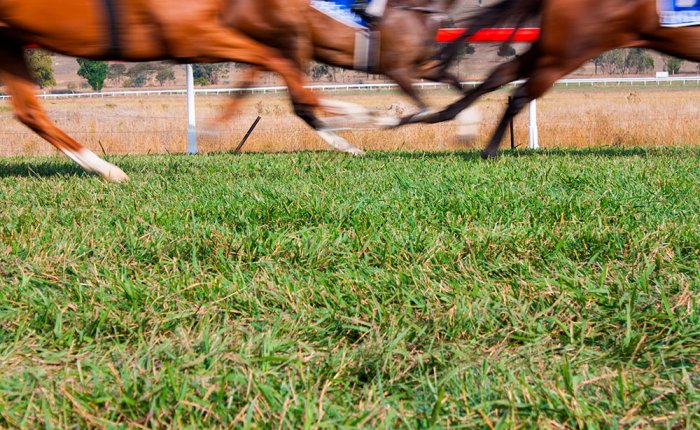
x=190, y=92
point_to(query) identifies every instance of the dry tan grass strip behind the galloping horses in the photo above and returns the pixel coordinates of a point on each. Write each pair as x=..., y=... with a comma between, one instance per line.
x=568, y=118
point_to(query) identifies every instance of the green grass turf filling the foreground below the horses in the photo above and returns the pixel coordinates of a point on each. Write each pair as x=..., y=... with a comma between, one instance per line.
x=553, y=289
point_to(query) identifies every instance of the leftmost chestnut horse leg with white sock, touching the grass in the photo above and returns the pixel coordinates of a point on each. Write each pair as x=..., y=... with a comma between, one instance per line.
x=19, y=84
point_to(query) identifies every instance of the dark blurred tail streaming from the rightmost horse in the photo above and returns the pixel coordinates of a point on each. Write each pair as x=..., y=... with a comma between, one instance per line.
x=506, y=13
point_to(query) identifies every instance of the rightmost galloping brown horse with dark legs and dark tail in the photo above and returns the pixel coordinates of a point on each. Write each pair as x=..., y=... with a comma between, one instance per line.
x=573, y=32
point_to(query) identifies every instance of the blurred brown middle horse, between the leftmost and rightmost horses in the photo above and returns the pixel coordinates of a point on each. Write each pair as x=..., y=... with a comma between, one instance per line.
x=406, y=51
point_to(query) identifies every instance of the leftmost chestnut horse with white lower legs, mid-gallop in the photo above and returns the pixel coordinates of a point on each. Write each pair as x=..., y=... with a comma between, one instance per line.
x=145, y=30
